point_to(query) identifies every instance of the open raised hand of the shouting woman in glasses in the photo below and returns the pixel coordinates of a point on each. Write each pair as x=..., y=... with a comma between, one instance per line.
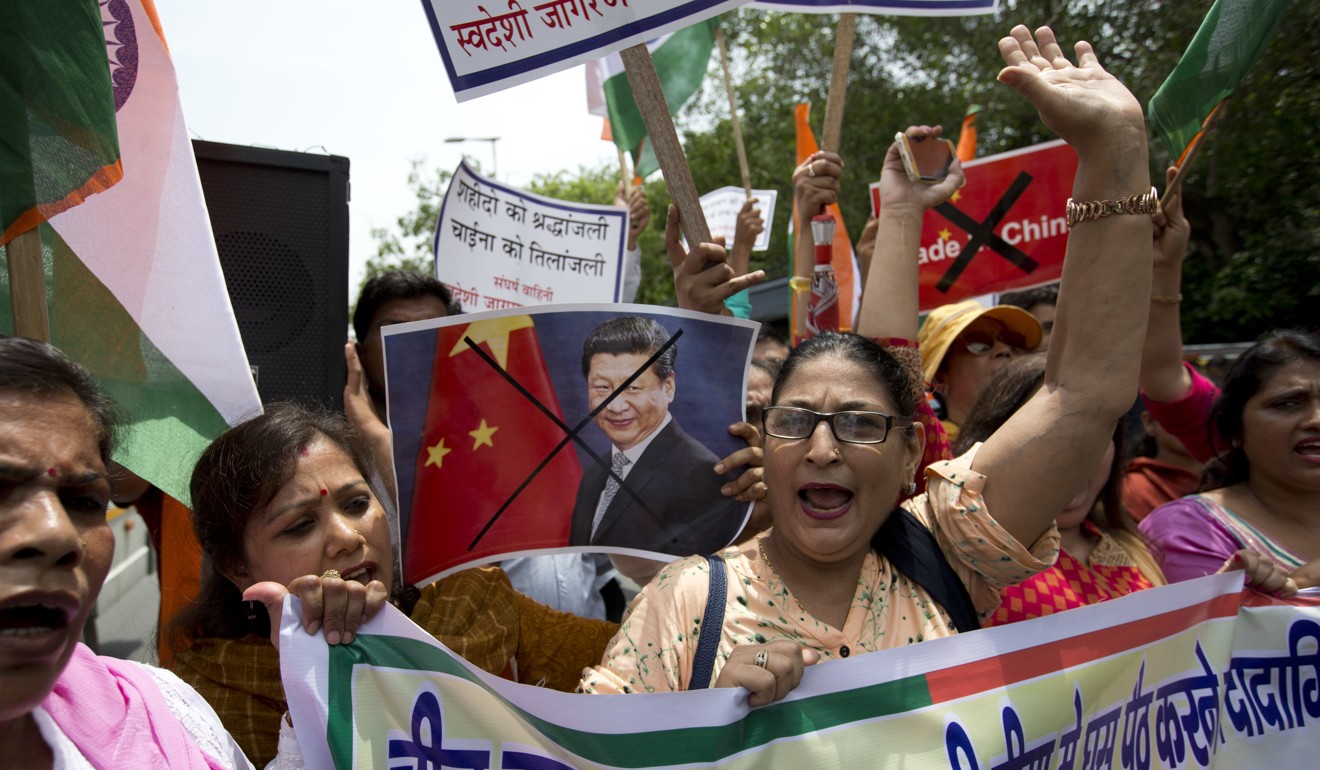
x=1080, y=102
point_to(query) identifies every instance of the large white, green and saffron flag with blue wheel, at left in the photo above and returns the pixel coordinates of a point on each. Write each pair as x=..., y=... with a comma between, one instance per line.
x=137, y=293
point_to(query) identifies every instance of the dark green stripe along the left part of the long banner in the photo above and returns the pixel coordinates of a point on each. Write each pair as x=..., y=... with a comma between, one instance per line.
x=641, y=750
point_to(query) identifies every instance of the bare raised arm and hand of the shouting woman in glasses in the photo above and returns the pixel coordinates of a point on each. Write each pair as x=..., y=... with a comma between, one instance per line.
x=1047, y=451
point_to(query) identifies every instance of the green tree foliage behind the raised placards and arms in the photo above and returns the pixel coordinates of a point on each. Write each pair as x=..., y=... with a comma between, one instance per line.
x=1252, y=199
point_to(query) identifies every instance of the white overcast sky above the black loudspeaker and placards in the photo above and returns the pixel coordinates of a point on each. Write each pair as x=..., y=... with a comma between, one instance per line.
x=364, y=81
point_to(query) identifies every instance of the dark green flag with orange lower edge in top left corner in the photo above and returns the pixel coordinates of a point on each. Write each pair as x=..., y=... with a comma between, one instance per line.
x=57, y=138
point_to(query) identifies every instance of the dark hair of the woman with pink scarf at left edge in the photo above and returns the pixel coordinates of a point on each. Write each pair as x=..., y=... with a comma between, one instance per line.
x=39, y=369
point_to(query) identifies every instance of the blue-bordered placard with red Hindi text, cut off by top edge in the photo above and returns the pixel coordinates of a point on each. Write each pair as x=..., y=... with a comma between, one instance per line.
x=488, y=52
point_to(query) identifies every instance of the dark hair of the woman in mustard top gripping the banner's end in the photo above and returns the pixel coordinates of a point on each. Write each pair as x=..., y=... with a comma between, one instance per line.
x=238, y=476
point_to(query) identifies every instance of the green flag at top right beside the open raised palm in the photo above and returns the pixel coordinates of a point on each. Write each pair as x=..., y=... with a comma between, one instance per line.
x=1230, y=42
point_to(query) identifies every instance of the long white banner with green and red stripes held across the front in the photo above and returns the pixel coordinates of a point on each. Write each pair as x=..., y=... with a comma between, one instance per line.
x=1191, y=676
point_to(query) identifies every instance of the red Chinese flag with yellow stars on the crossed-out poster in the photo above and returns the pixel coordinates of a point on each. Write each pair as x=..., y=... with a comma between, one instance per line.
x=482, y=442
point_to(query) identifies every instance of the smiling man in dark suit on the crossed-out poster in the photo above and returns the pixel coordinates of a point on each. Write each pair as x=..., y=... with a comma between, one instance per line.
x=682, y=509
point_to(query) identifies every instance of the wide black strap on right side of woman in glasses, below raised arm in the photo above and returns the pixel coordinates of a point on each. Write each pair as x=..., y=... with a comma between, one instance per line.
x=914, y=551
